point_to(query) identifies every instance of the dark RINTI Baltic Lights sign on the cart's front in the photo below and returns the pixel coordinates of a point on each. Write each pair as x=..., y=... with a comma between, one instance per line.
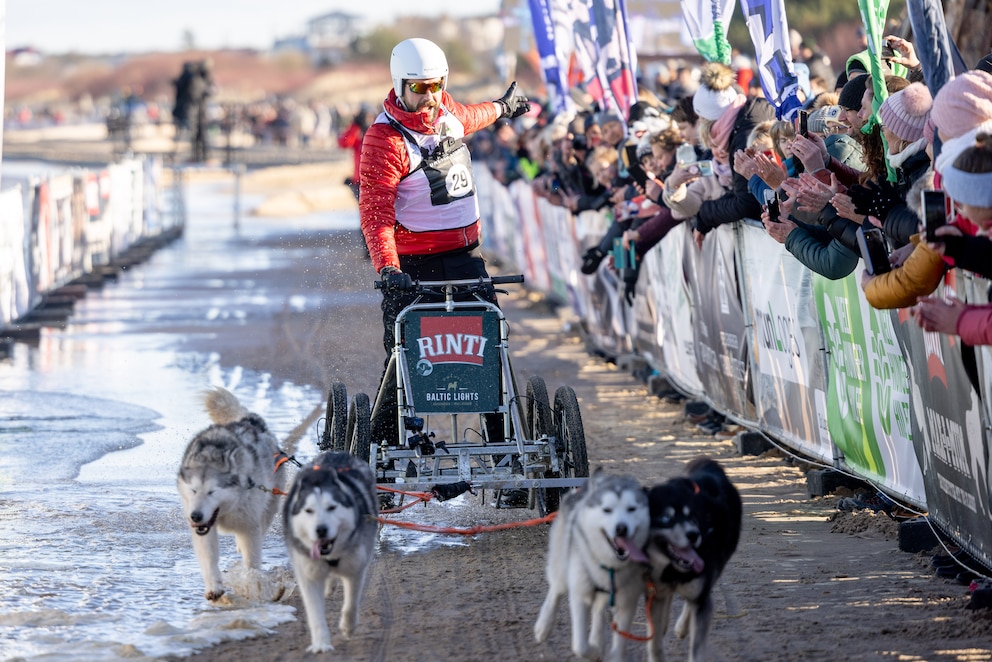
x=454, y=361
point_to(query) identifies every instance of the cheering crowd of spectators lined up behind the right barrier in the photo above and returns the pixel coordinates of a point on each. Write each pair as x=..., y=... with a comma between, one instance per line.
x=703, y=146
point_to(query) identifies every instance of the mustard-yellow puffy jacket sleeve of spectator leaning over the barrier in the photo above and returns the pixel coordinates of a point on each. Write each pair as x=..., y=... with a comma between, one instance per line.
x=918, y=276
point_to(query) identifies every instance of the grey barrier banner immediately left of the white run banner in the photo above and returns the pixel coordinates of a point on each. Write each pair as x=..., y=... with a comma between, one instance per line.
x=718, y=324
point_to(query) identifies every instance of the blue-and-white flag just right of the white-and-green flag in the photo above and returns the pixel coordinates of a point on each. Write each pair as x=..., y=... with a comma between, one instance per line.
x=769, y=28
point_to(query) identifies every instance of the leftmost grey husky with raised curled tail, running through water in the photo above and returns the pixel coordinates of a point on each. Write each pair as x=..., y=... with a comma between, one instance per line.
x=228, y=482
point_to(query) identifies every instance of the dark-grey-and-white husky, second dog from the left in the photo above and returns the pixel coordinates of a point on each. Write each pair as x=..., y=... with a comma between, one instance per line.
x=329, y=521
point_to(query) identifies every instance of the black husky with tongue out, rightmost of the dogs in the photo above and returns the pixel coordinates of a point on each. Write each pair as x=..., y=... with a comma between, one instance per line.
x=695, y=527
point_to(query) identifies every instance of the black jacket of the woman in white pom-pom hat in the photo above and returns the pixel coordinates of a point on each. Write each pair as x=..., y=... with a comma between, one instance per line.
x=737, y=203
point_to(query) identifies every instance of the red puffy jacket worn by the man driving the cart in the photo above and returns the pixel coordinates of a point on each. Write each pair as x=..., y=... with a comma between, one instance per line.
x=384, y=162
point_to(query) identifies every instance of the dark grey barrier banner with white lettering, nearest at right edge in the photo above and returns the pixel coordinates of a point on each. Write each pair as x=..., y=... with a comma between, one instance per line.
x=948, y=435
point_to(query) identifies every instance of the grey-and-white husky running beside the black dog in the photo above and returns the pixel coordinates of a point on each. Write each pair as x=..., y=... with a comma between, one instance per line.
x=594, y=555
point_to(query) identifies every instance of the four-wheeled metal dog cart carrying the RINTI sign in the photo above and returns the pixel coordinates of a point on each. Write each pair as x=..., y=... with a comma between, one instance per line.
x=461, y=421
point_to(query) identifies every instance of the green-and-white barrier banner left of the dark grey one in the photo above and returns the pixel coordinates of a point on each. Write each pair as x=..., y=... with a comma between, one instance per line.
x=868, y=399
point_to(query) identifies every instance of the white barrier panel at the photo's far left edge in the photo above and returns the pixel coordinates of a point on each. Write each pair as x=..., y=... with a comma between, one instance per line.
x=15, y=298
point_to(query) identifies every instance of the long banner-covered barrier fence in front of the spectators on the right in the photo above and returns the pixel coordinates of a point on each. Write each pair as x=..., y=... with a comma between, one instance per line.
x=744, y=326
